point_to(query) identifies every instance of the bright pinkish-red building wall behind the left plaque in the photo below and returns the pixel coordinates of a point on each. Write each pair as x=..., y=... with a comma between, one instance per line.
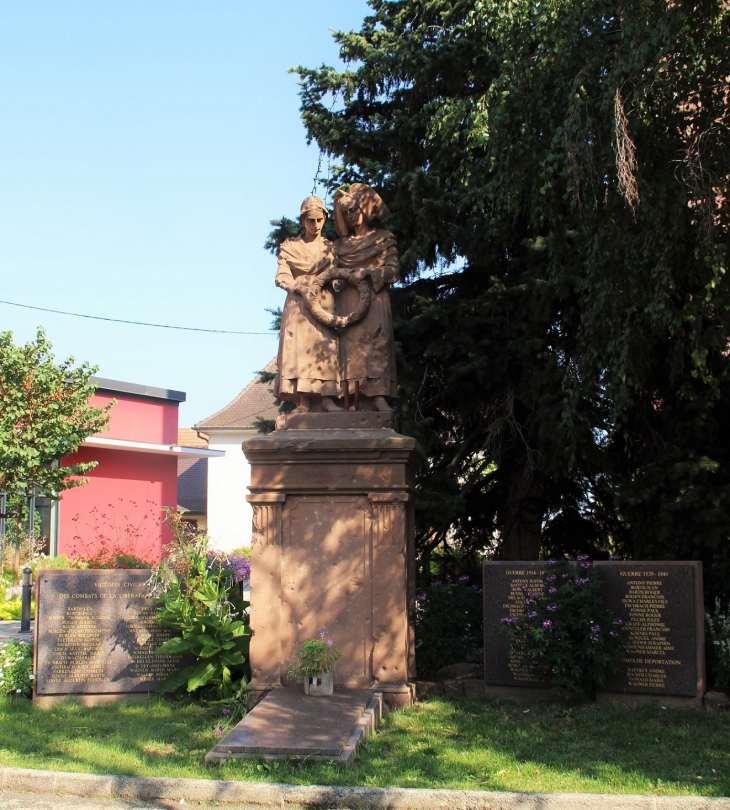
x=121, y=505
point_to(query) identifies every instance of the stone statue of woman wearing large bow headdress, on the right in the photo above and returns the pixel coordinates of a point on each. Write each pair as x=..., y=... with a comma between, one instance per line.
x=367, y=251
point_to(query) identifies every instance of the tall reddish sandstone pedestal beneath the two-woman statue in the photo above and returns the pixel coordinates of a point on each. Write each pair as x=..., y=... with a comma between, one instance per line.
x=333, y=549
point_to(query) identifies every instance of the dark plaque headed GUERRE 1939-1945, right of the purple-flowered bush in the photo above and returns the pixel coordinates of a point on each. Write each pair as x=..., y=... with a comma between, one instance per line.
x=661, y=606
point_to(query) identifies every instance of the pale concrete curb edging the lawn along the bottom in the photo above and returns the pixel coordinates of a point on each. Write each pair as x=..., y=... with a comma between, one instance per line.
x=267, y=795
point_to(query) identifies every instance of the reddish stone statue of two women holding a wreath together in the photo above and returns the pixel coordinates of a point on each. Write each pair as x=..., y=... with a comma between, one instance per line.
x=336, y=326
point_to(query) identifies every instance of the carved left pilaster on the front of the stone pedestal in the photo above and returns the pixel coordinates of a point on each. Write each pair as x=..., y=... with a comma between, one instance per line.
x=265, y=650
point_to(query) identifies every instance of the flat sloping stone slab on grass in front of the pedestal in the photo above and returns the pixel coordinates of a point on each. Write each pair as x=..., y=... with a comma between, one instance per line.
x=288, y=724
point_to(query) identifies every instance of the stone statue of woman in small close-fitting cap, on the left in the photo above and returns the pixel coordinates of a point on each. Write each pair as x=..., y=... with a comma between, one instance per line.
x=307, y=361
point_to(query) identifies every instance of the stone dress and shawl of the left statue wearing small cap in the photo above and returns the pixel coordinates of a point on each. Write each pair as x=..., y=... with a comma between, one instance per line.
x=307, y=360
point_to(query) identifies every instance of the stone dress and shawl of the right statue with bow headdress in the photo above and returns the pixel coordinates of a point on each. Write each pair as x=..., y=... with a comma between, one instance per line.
x=367, y=351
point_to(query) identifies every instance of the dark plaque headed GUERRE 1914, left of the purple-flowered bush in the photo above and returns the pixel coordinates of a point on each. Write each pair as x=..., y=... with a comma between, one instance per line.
x=502, y=598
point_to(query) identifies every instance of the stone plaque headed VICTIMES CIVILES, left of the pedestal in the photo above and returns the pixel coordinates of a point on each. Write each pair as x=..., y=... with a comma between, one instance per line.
x=95, y=634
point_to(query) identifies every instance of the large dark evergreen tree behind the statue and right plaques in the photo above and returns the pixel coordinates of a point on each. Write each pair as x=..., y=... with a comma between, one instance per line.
x=558, y=176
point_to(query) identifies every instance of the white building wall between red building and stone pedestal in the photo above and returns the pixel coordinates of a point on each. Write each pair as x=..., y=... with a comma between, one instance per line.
x=229, y=514
